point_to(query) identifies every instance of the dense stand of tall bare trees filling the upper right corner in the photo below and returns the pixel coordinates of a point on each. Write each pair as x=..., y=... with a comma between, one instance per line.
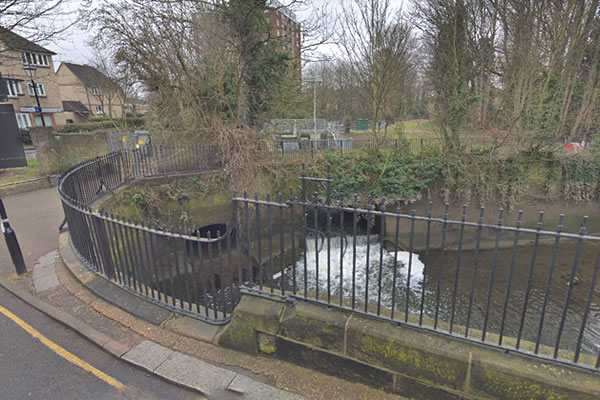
x=526, y=67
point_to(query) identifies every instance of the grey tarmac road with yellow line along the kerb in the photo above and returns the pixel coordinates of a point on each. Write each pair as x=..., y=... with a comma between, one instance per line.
x=30, y=369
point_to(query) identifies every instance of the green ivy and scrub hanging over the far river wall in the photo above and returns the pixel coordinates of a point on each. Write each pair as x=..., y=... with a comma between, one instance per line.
x=398, y=174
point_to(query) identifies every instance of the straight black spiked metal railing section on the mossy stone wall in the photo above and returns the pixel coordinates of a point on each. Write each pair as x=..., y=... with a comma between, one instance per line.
x=514, y=286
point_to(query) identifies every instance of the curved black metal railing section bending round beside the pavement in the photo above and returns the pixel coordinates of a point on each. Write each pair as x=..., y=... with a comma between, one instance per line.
x=183, y=272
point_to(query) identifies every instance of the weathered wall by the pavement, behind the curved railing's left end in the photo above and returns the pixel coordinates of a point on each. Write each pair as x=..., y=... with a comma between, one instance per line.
x=57, y=152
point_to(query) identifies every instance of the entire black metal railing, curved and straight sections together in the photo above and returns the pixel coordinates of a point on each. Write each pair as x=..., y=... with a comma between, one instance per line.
x=516, y=286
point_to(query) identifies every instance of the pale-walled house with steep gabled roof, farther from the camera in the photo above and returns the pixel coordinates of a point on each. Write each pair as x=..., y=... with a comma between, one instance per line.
x=84, y=85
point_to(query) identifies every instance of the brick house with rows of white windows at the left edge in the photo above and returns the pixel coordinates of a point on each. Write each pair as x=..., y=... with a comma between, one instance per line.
x=17, y=52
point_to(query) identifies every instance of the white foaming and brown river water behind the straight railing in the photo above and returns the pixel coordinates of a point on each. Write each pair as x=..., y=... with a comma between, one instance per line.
x=341, y=251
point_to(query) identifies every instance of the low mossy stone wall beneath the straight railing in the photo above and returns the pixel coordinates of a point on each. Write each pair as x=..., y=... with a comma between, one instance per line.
x=398, y=359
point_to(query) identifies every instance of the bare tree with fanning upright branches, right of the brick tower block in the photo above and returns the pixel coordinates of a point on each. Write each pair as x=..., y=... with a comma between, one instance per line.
x=376, y=42
